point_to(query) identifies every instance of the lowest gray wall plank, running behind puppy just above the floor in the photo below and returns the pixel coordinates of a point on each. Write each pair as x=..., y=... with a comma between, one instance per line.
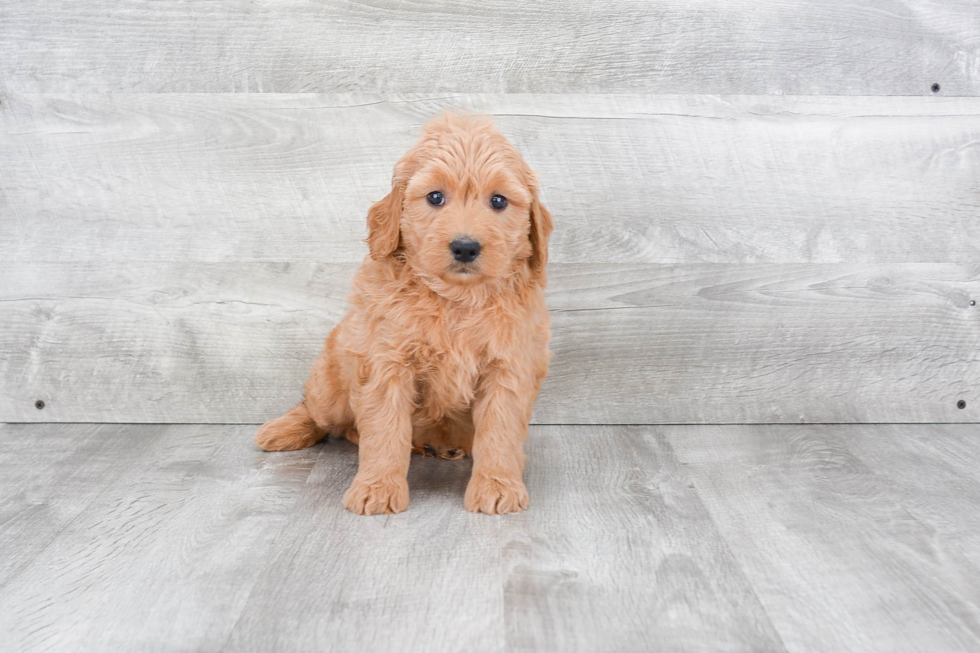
x=226, y=342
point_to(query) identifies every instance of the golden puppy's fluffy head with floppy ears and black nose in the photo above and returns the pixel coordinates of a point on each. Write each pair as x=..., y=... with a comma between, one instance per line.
x=463, y=206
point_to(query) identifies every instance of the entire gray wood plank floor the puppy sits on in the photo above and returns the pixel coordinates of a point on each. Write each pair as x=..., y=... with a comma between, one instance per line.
x=639, y=538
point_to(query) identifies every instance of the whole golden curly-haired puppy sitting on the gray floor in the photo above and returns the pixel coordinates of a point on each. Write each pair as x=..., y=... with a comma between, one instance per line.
x=446, y=342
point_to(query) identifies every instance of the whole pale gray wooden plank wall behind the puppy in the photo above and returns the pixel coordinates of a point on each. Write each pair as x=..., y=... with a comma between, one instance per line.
x=764, y=213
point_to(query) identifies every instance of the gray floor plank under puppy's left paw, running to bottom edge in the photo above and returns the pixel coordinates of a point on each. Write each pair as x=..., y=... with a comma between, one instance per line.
x=428, y=579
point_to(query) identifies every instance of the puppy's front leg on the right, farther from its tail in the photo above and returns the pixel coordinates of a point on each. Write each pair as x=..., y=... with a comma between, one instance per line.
x=500, y=415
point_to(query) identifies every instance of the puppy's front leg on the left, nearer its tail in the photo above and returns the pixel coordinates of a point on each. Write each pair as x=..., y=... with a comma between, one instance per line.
x=383, y=409
